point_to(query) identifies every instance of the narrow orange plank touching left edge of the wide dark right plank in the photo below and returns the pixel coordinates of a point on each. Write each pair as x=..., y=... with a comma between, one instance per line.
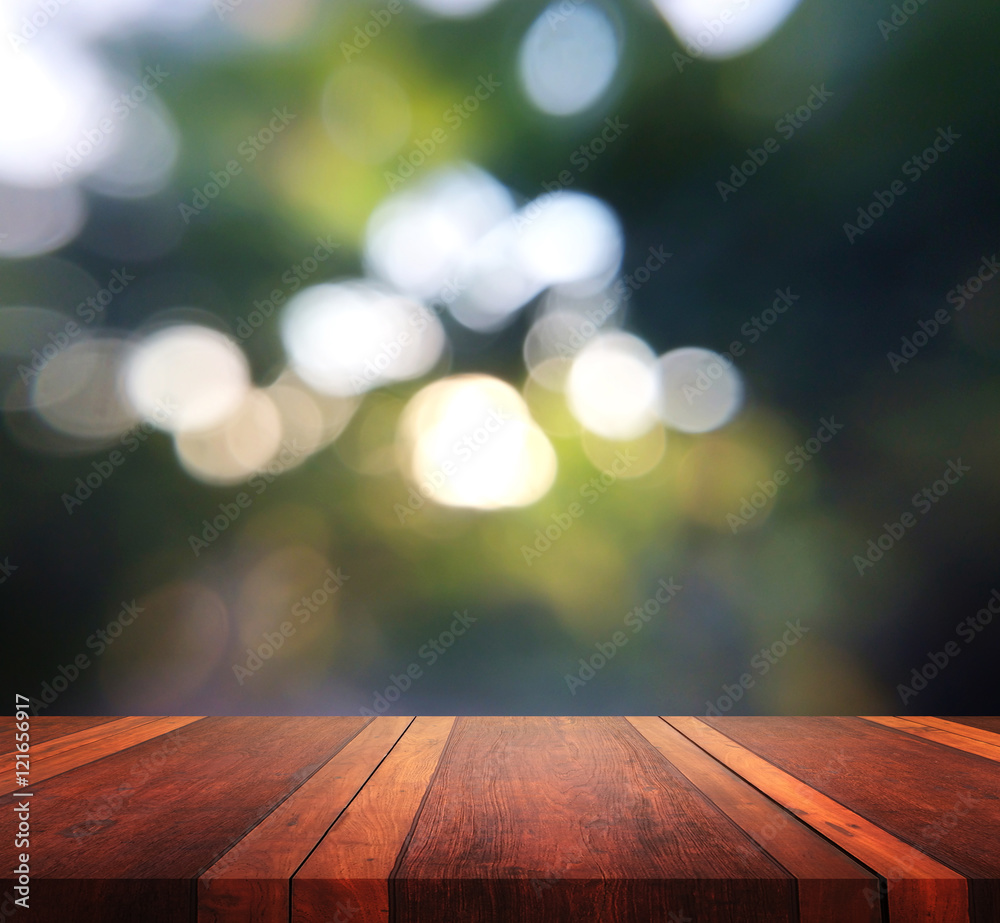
x=917, y=888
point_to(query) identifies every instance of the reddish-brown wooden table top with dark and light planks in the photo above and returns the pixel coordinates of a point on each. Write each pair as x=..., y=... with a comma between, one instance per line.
x=403, y=819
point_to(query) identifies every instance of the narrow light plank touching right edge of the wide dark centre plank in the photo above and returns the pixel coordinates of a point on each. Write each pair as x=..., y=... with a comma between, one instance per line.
x=831, y=886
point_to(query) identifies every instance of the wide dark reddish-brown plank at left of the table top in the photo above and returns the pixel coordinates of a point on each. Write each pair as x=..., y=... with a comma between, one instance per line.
x=168, y=808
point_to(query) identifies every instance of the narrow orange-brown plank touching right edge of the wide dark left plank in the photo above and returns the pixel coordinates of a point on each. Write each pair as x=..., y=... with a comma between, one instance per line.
x=253, y=880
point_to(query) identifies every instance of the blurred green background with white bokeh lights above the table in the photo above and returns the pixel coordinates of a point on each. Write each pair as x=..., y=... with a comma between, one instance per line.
x=328, y=547
